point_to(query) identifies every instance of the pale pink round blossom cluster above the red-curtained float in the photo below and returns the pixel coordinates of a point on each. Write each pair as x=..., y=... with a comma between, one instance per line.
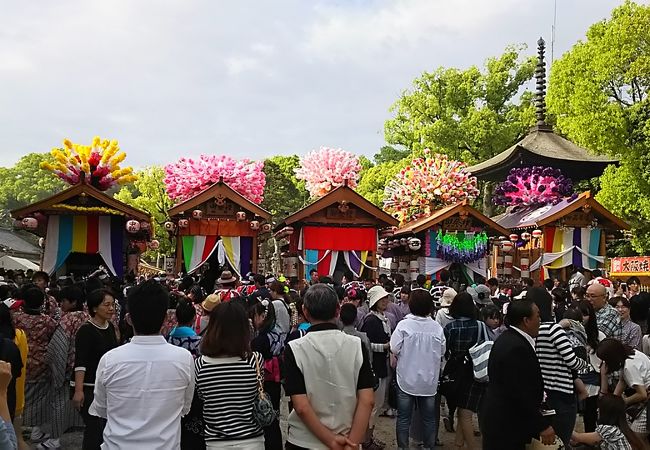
x=328, y=168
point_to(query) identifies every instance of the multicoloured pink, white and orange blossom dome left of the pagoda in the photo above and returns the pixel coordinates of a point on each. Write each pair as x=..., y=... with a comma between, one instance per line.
x=427, y=184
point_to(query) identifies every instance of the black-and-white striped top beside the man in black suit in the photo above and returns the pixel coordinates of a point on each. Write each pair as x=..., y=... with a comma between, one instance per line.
x=556, y=358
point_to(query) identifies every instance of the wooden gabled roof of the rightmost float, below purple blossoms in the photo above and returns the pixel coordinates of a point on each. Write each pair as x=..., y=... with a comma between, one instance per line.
x=536, y=217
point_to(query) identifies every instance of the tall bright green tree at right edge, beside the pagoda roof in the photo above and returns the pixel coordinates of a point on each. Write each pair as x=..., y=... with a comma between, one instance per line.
x=598, y=93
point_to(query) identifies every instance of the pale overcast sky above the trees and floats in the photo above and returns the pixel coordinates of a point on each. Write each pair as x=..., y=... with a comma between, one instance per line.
x=247, y=78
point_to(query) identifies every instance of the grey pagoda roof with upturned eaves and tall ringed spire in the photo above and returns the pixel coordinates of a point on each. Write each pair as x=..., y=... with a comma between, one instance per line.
x=543, y=147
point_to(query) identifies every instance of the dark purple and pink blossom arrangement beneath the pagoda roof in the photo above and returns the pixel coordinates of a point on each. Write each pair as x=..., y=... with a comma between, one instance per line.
x=533, y=186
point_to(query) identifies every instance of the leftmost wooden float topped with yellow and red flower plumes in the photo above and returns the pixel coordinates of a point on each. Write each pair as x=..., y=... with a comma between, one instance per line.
x=82, y=227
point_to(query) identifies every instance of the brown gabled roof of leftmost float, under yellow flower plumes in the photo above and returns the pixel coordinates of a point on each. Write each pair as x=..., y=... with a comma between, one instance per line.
x=80, y=195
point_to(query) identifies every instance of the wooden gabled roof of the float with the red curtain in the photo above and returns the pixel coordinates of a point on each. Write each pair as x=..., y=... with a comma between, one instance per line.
x=342, y=195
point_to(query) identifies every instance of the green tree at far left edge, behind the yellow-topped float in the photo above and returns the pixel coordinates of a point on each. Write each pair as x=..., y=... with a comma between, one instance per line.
x=26, y=183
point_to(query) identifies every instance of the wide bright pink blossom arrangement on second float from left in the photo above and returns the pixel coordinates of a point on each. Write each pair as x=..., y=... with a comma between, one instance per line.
x=189, y=176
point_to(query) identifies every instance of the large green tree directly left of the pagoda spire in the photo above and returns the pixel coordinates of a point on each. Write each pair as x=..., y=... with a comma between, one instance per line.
x=469, y=114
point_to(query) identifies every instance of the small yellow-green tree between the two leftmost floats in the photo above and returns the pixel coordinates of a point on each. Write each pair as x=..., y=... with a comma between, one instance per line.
x=148, y=193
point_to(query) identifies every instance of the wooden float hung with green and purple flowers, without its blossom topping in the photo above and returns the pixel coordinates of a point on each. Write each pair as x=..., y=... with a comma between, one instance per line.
x=456, y=237
